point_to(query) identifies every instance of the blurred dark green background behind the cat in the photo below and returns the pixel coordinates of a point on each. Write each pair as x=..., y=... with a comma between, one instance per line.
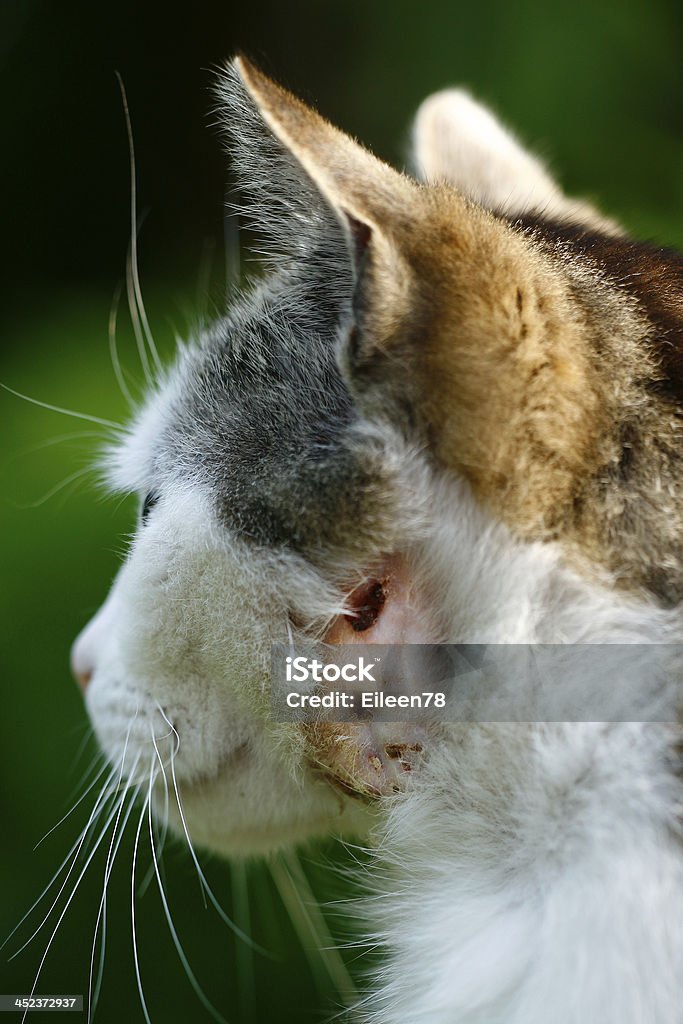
x=595, y=88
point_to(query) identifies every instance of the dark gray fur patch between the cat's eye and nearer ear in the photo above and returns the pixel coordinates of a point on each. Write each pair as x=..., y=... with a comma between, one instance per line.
x=264, y=419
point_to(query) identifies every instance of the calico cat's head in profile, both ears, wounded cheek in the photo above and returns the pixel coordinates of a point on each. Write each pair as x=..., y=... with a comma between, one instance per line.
x=444, y=414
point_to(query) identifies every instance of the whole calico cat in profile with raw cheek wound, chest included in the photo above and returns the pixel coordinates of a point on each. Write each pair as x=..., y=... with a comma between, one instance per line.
x=449, y=412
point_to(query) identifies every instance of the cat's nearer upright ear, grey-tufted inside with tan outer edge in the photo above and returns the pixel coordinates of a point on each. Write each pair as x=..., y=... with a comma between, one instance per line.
x=315, y=182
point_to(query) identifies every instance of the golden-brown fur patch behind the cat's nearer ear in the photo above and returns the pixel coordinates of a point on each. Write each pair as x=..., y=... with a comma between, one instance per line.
x=551, y=383
